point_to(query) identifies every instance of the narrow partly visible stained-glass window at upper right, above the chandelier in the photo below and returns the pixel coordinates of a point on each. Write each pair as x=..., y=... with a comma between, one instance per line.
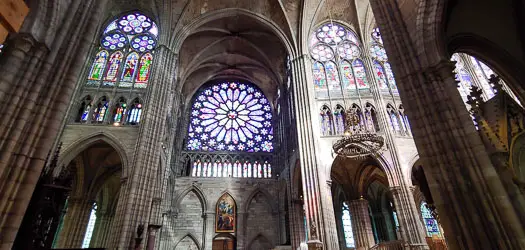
x=382, y=68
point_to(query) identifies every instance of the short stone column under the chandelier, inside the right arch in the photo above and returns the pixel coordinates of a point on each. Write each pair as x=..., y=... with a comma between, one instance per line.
x=361, y=225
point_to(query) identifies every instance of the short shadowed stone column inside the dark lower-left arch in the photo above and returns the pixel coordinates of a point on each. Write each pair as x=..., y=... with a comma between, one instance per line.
x=75, y=223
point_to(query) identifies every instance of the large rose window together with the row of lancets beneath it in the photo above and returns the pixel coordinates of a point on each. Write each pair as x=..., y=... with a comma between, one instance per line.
x=234, y=119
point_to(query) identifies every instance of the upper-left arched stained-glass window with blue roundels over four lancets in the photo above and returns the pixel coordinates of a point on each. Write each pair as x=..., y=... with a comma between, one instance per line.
x=131, y=40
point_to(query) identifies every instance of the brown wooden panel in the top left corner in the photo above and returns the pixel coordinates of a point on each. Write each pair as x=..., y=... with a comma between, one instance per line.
x=13, y=13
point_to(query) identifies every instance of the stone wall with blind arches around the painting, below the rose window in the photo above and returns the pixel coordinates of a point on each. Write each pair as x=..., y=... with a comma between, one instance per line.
x=258, y=212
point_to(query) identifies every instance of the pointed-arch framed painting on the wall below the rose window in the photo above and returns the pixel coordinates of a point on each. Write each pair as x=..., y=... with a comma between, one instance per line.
x=225, y=218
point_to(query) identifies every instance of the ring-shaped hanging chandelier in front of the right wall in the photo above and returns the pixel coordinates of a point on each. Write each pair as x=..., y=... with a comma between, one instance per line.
x=357, y=142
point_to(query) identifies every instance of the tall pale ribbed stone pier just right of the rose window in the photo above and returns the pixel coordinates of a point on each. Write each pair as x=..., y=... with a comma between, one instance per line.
x=306, y=150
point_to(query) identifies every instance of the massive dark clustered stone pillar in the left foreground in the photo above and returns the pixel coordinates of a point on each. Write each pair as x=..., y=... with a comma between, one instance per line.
x=36, y=84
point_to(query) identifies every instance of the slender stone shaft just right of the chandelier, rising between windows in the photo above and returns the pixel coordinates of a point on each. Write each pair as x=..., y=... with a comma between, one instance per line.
x=411, y=229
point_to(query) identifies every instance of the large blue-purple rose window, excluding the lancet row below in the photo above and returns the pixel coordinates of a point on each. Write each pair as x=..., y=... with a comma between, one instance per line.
x=230, y=116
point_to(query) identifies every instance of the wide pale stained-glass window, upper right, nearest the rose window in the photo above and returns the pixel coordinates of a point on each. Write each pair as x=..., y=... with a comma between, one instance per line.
x=336, y=68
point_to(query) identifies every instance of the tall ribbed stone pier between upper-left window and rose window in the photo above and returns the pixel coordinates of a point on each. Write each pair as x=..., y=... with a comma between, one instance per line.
x=152, y=132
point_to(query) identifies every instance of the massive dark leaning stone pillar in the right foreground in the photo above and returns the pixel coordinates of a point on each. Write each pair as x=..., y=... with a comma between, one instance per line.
x=477, y=211
